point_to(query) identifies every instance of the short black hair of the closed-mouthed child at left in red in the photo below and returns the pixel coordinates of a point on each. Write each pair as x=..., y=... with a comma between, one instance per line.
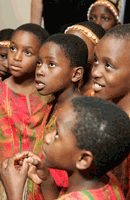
x=37, y=30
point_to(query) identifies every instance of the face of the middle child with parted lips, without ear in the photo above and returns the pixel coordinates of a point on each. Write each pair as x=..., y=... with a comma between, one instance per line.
x=53, y=71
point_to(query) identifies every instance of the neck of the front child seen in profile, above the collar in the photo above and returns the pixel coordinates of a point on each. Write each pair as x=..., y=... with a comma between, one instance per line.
x=81, y=182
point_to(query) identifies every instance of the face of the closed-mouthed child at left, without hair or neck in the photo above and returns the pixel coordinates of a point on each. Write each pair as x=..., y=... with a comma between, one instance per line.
x=23, y=52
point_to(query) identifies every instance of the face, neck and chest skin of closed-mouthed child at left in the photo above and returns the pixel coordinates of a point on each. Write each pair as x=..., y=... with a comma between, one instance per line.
x=22, y=58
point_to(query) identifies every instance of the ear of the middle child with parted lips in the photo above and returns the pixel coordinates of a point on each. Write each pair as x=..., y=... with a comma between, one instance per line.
x=77, y=74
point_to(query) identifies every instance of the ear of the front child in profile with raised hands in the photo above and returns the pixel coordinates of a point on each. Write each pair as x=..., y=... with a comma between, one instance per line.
x=85, y=160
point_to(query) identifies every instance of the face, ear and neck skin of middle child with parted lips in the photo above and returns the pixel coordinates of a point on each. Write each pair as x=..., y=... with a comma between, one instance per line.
x=54, y=67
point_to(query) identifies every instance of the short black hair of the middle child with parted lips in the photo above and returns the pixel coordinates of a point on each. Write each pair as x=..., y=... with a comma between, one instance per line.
x=74, y=48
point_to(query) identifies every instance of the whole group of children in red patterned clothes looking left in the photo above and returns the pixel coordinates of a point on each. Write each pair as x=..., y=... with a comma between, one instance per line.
x=70, y=143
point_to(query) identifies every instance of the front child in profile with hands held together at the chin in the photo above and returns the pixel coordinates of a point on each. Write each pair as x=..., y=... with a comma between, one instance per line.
x=91, y=138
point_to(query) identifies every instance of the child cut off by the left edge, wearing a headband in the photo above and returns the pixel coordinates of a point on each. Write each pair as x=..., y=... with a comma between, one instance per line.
x=5, y=36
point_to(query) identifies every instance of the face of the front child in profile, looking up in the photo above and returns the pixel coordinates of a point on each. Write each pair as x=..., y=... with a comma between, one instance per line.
x=60, y=149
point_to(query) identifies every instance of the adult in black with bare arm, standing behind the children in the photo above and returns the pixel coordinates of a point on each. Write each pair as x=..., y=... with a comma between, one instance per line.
x=58, y=14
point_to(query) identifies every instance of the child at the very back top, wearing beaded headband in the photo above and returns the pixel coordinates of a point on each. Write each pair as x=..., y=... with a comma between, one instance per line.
x=104, y=13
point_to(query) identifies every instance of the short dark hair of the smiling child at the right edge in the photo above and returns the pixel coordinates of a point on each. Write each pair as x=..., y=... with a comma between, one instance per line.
x=121, y=31
